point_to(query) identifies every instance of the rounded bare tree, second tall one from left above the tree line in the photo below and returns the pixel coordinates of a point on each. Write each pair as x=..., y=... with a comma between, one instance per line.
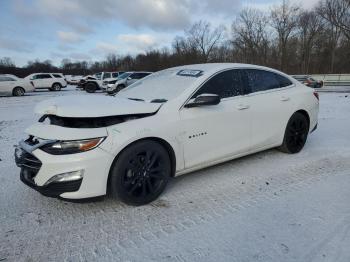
x=250, y=36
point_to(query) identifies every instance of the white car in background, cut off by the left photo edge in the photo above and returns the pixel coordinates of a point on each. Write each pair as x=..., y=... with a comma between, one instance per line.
x=10, y=85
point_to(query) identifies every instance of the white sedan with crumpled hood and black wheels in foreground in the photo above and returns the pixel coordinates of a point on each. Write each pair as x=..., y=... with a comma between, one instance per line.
x=172, y=122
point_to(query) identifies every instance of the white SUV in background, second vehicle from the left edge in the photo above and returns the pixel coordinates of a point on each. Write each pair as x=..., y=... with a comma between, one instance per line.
x=51, y=81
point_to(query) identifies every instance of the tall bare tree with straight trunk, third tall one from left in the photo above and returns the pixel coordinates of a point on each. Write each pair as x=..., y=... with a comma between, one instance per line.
x=284, y=19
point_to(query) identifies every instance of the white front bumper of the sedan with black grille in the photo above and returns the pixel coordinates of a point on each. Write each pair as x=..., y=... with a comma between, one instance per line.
x=40, y=170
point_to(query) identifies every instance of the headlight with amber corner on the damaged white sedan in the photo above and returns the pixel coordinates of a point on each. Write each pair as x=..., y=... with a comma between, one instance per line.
x=71, y=147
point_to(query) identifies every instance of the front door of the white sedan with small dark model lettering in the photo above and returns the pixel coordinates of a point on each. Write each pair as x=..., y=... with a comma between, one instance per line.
x=213, y=133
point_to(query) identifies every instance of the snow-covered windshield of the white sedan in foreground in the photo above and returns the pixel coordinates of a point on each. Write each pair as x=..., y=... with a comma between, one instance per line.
x=159, y=86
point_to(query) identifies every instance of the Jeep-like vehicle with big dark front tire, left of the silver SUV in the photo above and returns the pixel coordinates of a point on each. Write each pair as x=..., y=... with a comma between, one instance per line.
x=97, y=81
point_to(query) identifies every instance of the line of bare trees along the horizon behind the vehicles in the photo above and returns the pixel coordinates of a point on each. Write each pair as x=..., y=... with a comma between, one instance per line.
x=286, y=37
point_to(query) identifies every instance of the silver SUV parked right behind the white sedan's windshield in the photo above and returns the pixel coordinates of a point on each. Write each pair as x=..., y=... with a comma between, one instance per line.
x=125, y=80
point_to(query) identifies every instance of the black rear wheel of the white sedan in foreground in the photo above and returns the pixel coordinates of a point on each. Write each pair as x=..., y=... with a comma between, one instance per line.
x=295, y=134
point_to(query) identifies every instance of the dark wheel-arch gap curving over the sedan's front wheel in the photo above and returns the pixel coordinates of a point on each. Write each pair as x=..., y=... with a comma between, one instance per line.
x=161, y=141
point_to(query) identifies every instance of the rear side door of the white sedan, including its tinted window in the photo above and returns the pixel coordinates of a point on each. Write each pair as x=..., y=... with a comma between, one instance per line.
x=271, y=106
